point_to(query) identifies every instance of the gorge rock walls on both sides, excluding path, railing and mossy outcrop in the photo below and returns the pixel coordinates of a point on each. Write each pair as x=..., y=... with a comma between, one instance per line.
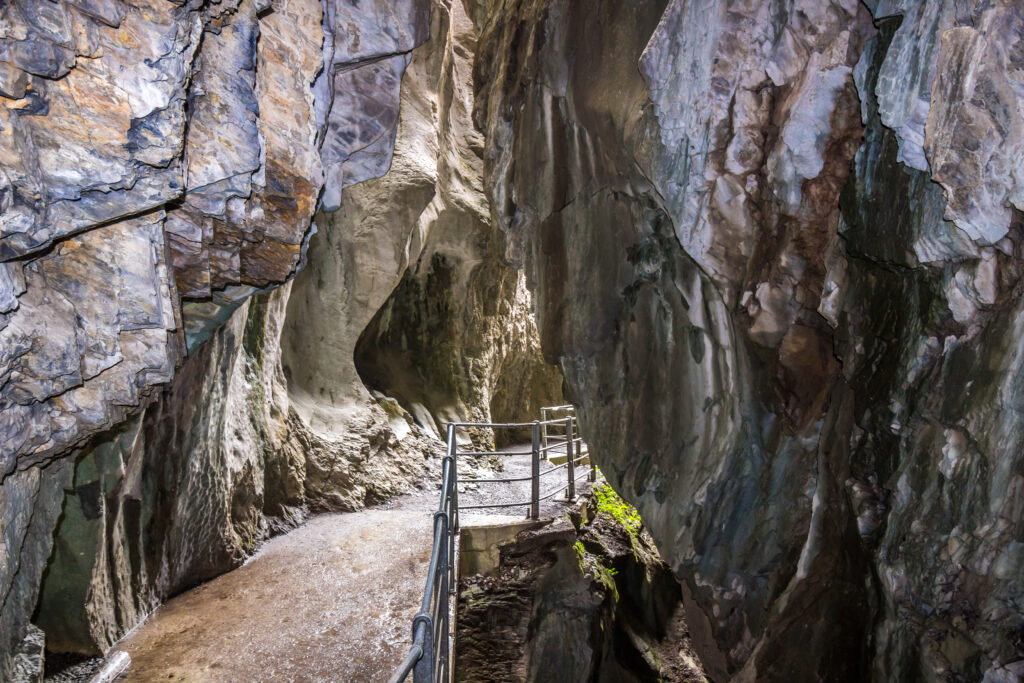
x=257, y=254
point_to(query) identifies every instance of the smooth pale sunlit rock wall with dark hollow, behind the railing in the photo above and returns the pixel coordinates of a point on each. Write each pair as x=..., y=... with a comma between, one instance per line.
x=405, y=287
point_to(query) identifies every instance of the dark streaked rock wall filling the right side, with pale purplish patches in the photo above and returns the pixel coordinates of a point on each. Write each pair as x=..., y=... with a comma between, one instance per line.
x=775, y=249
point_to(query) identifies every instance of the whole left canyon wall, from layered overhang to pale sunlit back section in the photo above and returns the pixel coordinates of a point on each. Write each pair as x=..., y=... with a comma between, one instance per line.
x=166, y=406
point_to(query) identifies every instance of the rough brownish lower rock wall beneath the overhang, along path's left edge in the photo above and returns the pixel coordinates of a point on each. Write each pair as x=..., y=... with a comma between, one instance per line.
x=188, y=491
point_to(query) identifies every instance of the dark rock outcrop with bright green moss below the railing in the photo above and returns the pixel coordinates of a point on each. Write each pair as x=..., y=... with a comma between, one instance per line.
x=580, y=600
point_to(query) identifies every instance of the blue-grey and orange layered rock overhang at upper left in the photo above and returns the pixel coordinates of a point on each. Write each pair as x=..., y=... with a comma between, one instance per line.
x=165, y=151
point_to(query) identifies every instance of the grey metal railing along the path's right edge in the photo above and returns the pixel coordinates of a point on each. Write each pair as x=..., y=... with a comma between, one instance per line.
x=430, y=658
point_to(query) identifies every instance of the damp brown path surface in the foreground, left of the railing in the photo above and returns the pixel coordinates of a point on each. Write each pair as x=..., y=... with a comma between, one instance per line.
x=330, y=602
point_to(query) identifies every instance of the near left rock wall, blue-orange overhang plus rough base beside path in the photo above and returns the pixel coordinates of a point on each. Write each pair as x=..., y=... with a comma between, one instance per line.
x=161, y=161
